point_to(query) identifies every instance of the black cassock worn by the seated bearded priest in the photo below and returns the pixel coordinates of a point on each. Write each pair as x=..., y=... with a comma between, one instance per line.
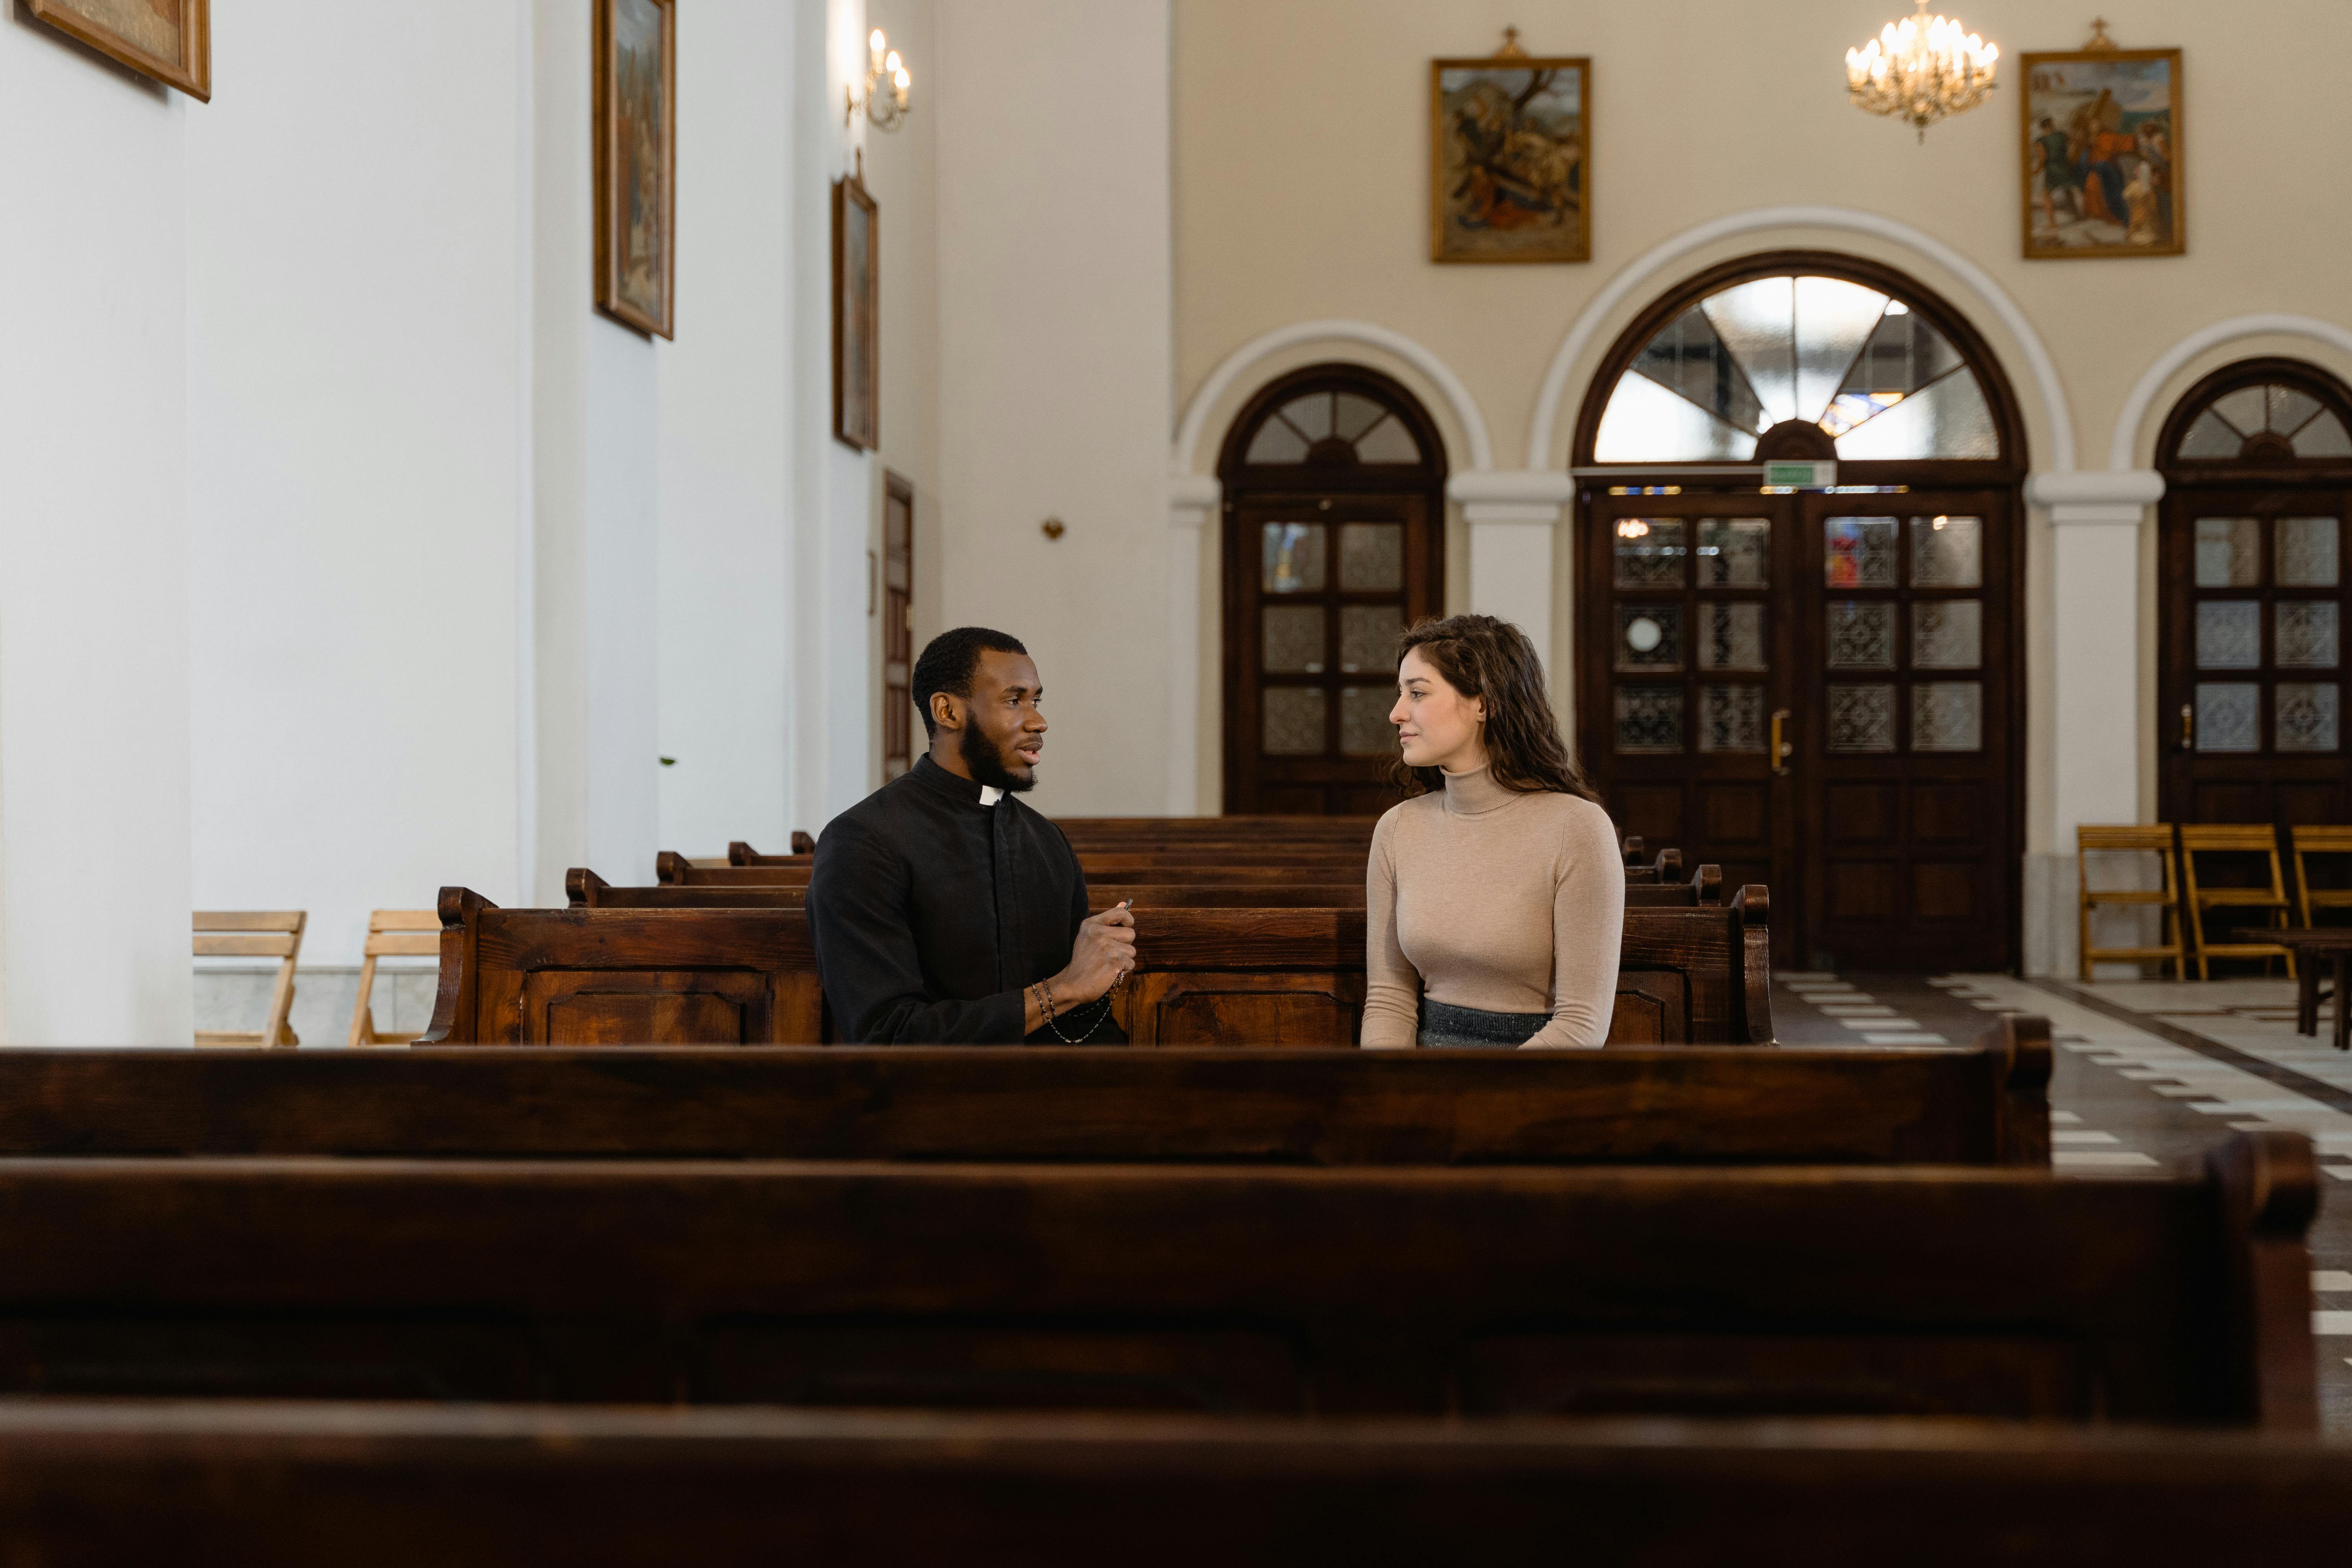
x=933, y=913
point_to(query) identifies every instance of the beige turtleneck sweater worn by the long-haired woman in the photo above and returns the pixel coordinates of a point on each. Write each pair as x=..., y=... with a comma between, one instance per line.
x=1502, y=902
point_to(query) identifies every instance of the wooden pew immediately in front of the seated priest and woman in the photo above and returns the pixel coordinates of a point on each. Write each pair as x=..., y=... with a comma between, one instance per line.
x=1975, y=1106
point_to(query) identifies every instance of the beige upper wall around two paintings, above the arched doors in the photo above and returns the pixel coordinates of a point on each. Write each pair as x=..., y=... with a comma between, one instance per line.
x=1302, y=194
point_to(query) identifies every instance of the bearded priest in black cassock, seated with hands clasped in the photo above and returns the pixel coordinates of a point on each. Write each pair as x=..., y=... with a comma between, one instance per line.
x=944, y=909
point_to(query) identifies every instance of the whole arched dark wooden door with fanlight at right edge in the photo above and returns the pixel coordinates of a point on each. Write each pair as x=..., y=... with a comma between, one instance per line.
x=2254, y=598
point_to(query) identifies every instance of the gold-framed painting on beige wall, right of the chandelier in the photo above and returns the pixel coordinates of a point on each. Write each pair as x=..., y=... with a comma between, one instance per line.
x=2104, y=154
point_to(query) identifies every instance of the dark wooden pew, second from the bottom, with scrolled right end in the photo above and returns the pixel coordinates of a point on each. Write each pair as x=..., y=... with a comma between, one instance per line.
x=1227, y=1289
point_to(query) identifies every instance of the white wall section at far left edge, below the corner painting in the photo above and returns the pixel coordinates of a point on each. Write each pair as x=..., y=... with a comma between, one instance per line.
x=93, y=563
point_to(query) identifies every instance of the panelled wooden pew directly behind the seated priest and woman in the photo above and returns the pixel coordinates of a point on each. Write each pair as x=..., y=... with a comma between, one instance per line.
x=1205, y=977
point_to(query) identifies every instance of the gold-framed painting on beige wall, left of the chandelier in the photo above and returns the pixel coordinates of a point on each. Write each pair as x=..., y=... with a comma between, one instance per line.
x=1511, y=159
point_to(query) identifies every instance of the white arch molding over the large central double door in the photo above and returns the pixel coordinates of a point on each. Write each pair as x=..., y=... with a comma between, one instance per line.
x=1645, y=272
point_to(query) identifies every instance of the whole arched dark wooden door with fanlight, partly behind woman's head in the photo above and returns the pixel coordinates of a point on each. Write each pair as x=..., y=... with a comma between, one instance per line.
x=1335, y=542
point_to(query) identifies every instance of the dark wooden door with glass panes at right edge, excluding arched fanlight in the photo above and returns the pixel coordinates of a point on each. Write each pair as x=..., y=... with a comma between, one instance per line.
x=2250, y=631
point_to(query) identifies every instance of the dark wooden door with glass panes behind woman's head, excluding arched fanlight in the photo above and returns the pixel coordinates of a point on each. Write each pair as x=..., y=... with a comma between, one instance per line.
x=1316, y=594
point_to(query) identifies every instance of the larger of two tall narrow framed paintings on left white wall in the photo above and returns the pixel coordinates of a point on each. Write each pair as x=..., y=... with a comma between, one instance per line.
x=636, y=163
